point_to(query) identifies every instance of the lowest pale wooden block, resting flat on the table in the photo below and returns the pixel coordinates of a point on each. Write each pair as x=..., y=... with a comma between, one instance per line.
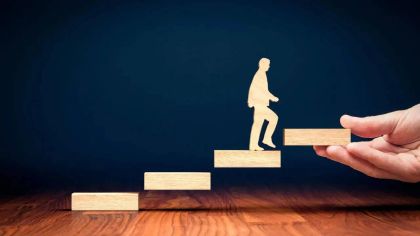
x=105, y=202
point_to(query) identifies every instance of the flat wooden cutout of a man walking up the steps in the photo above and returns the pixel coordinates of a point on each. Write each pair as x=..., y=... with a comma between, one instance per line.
x=259, y=98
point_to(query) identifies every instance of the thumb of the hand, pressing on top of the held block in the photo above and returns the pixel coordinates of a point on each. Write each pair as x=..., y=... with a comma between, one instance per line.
x=371, y=126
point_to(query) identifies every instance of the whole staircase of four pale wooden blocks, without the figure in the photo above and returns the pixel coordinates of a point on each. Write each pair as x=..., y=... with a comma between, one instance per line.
x=202, y=180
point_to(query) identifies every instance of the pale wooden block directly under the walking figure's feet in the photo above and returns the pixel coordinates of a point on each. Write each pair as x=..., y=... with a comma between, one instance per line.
x=247, y=159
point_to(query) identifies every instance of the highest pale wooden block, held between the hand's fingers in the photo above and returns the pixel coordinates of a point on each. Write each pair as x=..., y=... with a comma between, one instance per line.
x=322, y=137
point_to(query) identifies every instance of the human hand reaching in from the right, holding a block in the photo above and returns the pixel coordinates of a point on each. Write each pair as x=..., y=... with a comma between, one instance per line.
x=394, y=153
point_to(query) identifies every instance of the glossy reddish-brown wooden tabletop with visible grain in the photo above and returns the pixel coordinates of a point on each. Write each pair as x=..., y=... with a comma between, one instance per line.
x=232, y=211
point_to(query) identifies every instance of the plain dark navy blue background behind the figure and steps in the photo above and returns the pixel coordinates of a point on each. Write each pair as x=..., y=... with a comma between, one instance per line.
x=94, y=93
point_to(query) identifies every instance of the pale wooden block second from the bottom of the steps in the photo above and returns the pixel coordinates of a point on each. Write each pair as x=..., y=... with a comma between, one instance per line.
x=177, y=181
